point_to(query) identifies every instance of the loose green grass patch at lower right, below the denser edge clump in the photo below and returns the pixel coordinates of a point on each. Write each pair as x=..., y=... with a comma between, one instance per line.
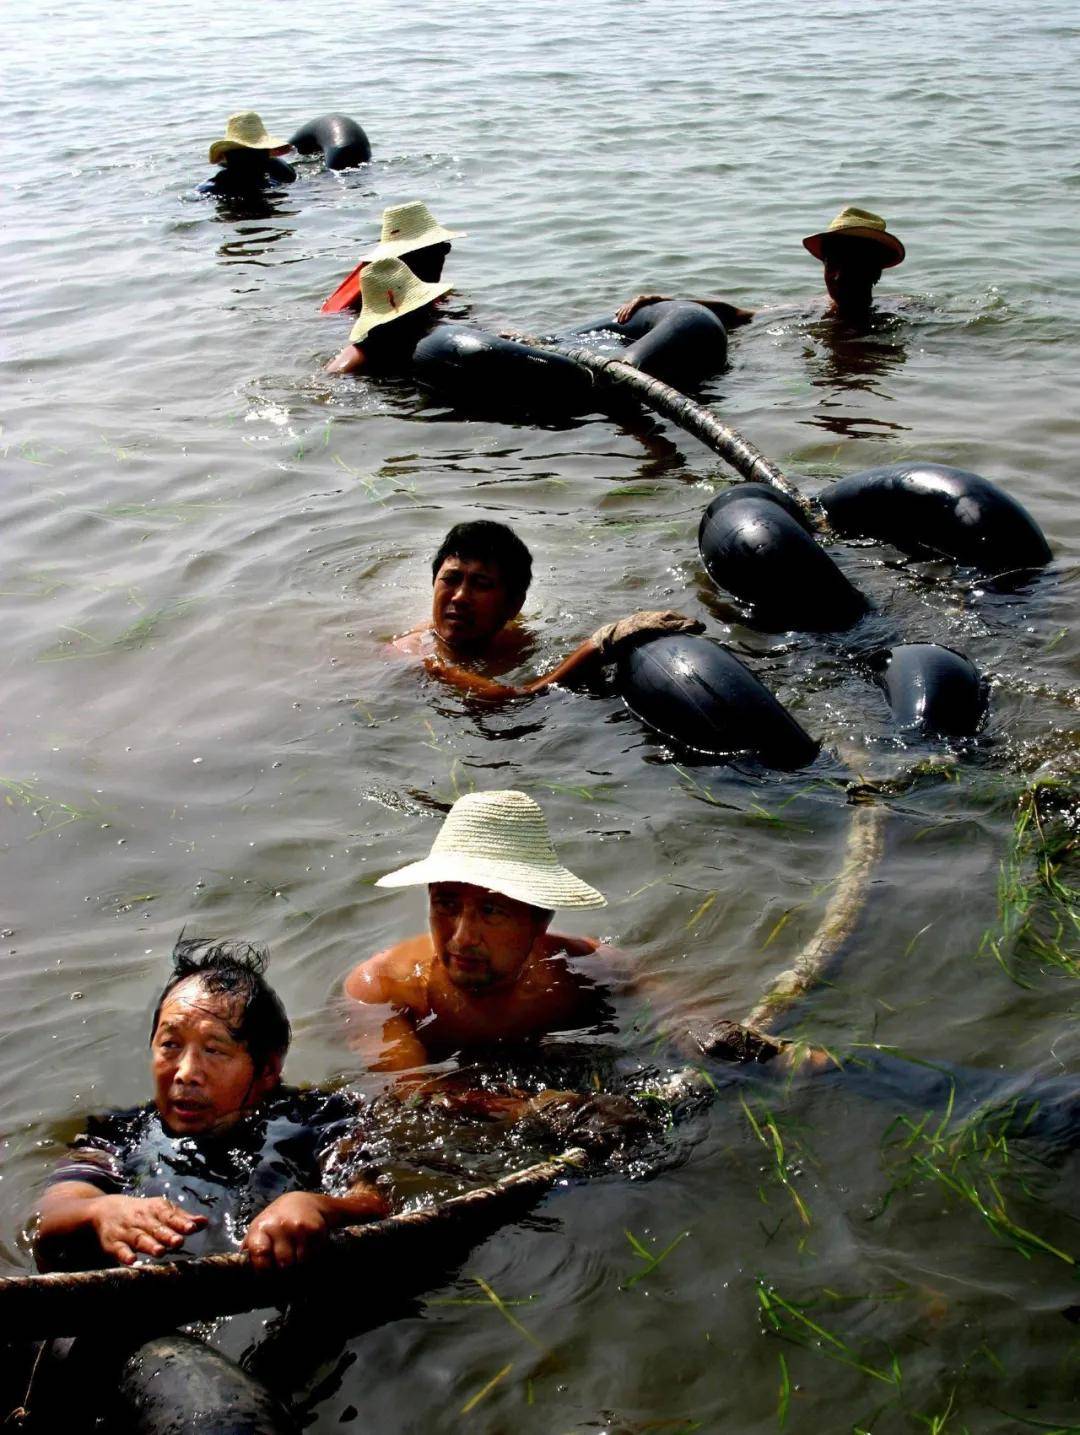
x=976, y=1163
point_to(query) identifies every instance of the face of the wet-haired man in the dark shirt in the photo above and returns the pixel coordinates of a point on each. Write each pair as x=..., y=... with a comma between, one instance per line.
x=204, y=1080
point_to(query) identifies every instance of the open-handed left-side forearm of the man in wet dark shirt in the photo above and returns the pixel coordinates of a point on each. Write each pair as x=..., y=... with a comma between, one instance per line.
x=124, y=1226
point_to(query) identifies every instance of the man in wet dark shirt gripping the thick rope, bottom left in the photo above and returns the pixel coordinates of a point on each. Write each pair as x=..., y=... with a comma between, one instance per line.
x=226, y=1154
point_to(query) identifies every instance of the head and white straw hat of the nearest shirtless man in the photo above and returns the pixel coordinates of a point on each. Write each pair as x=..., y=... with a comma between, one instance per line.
x=494, y=882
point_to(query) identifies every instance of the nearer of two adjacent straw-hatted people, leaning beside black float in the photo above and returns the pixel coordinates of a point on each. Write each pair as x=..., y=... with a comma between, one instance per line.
x=398, y=309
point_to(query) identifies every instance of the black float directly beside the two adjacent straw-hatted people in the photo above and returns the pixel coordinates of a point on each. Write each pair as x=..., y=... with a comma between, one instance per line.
x=477, y=370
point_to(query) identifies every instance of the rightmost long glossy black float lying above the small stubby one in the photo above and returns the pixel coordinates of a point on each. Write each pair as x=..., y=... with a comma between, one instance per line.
x=930, y=509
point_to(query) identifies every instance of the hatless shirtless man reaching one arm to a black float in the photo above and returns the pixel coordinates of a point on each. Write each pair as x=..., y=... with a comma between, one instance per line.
x=480, y=580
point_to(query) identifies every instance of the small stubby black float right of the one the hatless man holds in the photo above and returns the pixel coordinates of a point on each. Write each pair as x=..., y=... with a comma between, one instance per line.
x=932, y=690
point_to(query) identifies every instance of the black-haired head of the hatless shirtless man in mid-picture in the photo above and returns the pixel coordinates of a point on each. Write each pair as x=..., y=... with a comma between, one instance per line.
x=480, y=580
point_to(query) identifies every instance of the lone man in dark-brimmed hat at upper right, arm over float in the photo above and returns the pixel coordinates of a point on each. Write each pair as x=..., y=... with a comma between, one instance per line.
x=854, y=252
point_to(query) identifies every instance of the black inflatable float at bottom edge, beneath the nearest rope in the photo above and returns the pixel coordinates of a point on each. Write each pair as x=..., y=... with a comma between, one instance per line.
x=179, y=1385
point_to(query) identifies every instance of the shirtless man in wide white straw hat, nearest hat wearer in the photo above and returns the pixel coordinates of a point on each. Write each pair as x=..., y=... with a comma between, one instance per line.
x=488, y=969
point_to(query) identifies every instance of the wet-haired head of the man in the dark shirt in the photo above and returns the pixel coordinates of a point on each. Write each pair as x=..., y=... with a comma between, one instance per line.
x=219, y=1037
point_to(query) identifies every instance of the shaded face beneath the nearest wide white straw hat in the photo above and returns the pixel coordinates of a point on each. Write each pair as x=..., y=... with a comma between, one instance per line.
x=481, y=938
